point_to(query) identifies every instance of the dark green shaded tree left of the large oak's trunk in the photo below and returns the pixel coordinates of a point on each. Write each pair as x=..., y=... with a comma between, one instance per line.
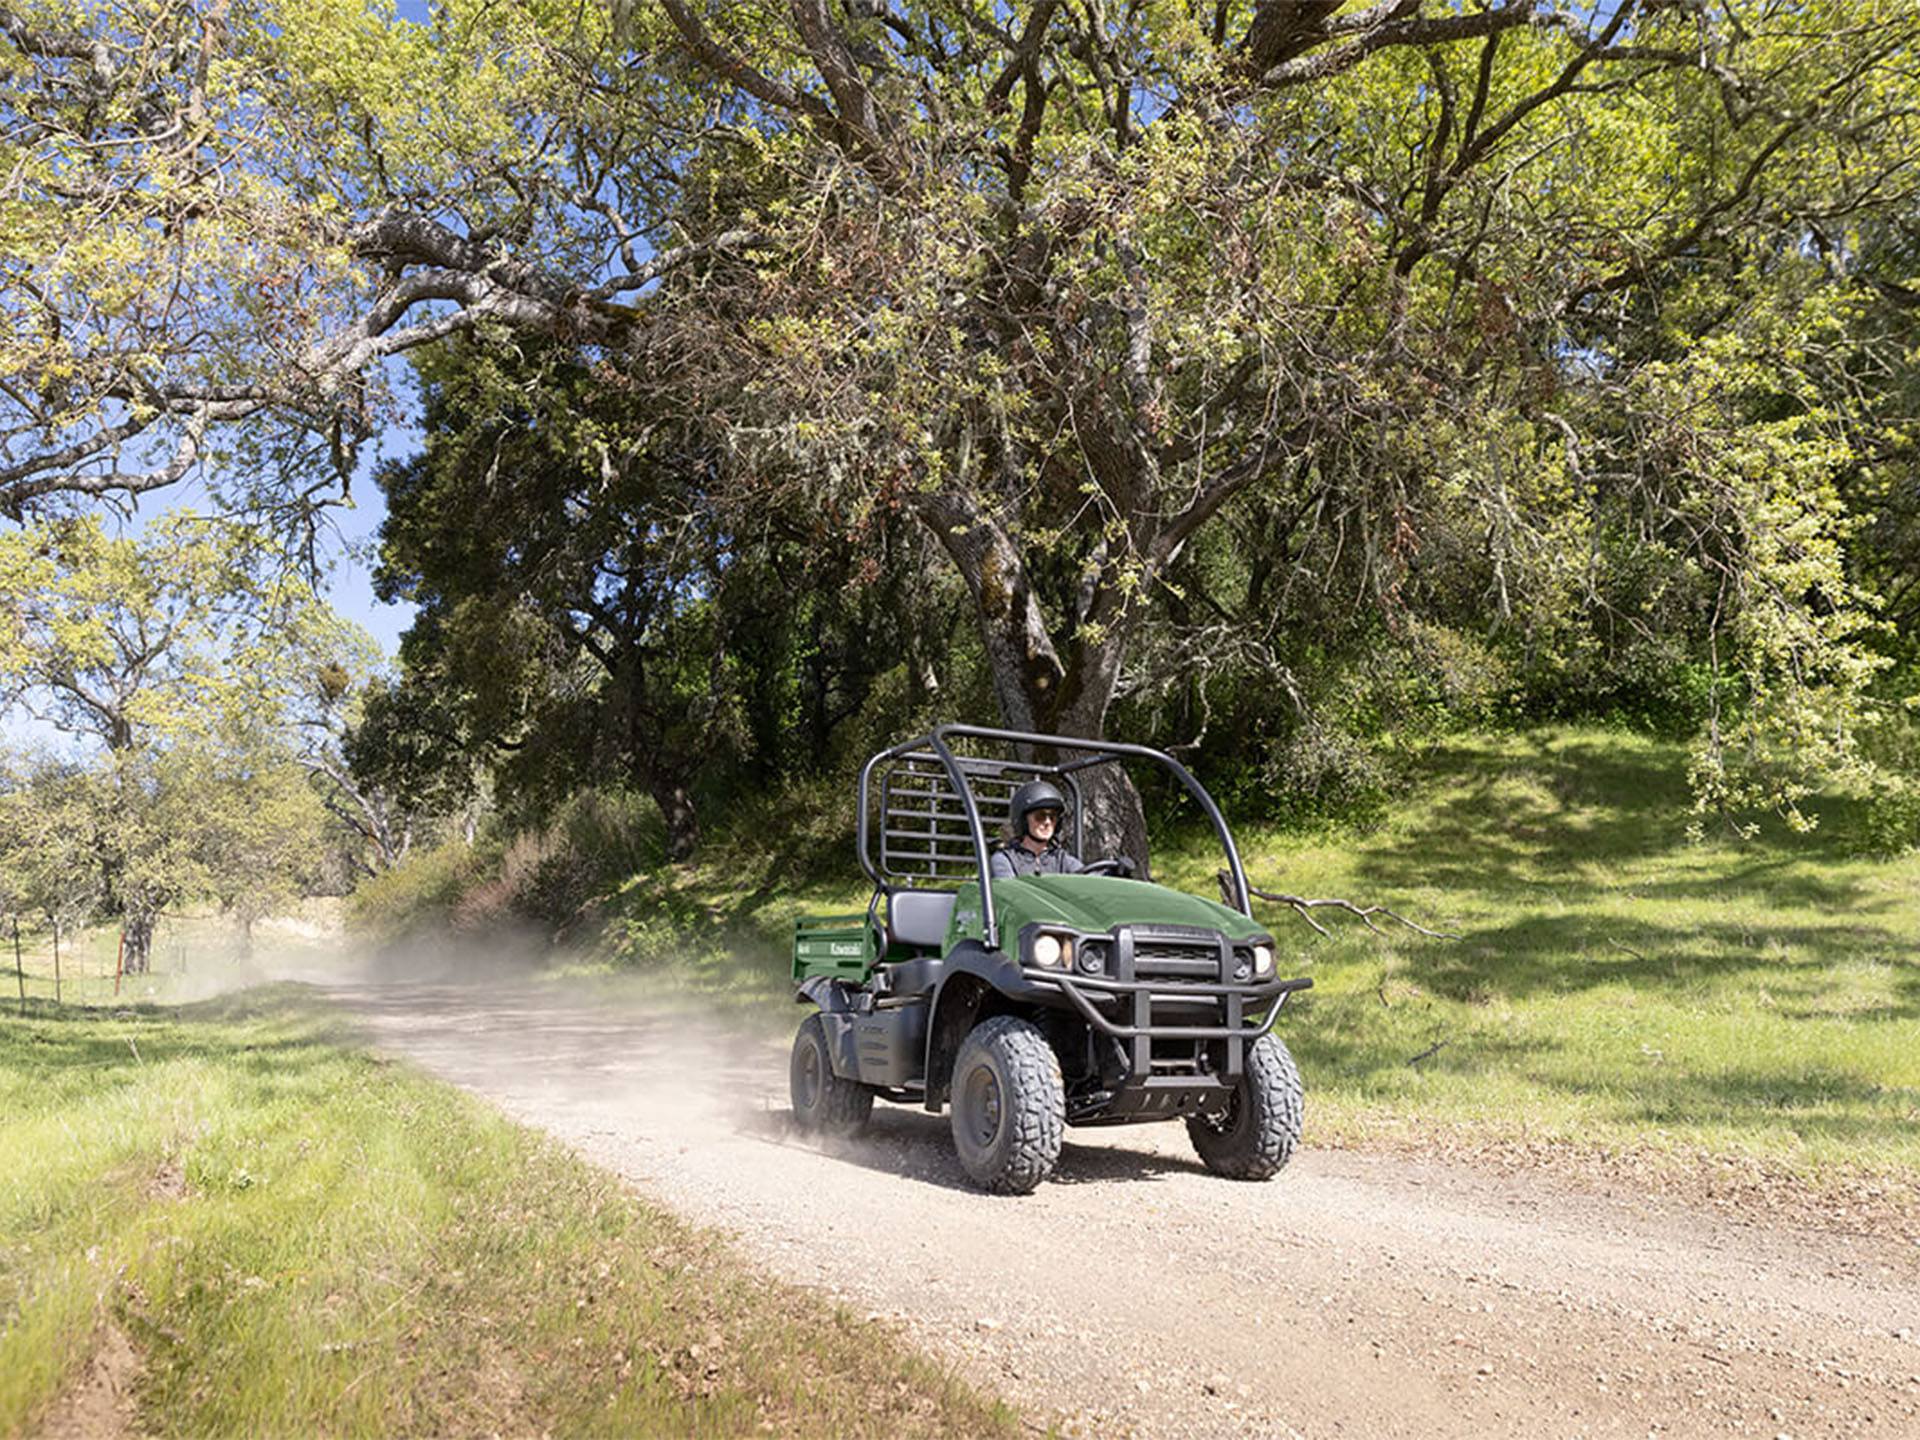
x=592, y=608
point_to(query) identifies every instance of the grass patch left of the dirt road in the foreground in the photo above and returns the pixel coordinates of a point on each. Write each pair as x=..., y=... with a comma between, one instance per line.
x=304, y=1239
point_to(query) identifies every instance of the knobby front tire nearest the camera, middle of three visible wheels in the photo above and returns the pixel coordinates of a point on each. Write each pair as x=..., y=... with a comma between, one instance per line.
x=1009, y=1107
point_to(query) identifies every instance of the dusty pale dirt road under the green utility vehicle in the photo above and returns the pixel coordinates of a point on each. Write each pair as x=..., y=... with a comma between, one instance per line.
x=1138, y=1295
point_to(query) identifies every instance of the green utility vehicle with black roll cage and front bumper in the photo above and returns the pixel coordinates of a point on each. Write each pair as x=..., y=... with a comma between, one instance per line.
x=1045, y=1001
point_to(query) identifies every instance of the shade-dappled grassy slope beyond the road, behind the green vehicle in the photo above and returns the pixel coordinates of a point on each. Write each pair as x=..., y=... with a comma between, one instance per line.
x=1614, y=986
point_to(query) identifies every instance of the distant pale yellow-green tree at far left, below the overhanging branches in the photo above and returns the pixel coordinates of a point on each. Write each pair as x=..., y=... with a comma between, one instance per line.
x=183, y=660
